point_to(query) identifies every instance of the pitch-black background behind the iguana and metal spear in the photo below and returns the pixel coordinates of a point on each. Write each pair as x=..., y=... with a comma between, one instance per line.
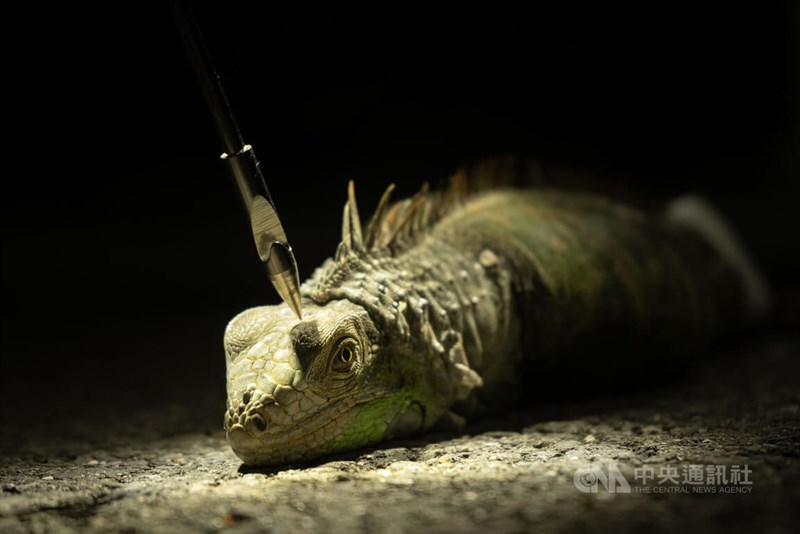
x=125, y=250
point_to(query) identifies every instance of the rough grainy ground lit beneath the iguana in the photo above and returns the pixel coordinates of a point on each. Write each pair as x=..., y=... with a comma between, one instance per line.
x=163, y=470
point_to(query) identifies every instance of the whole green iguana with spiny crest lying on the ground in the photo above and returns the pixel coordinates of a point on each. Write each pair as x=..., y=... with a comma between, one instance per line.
x=430, y=312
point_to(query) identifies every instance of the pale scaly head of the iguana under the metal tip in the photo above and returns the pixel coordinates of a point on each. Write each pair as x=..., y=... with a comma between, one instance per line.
x=301, y=389
